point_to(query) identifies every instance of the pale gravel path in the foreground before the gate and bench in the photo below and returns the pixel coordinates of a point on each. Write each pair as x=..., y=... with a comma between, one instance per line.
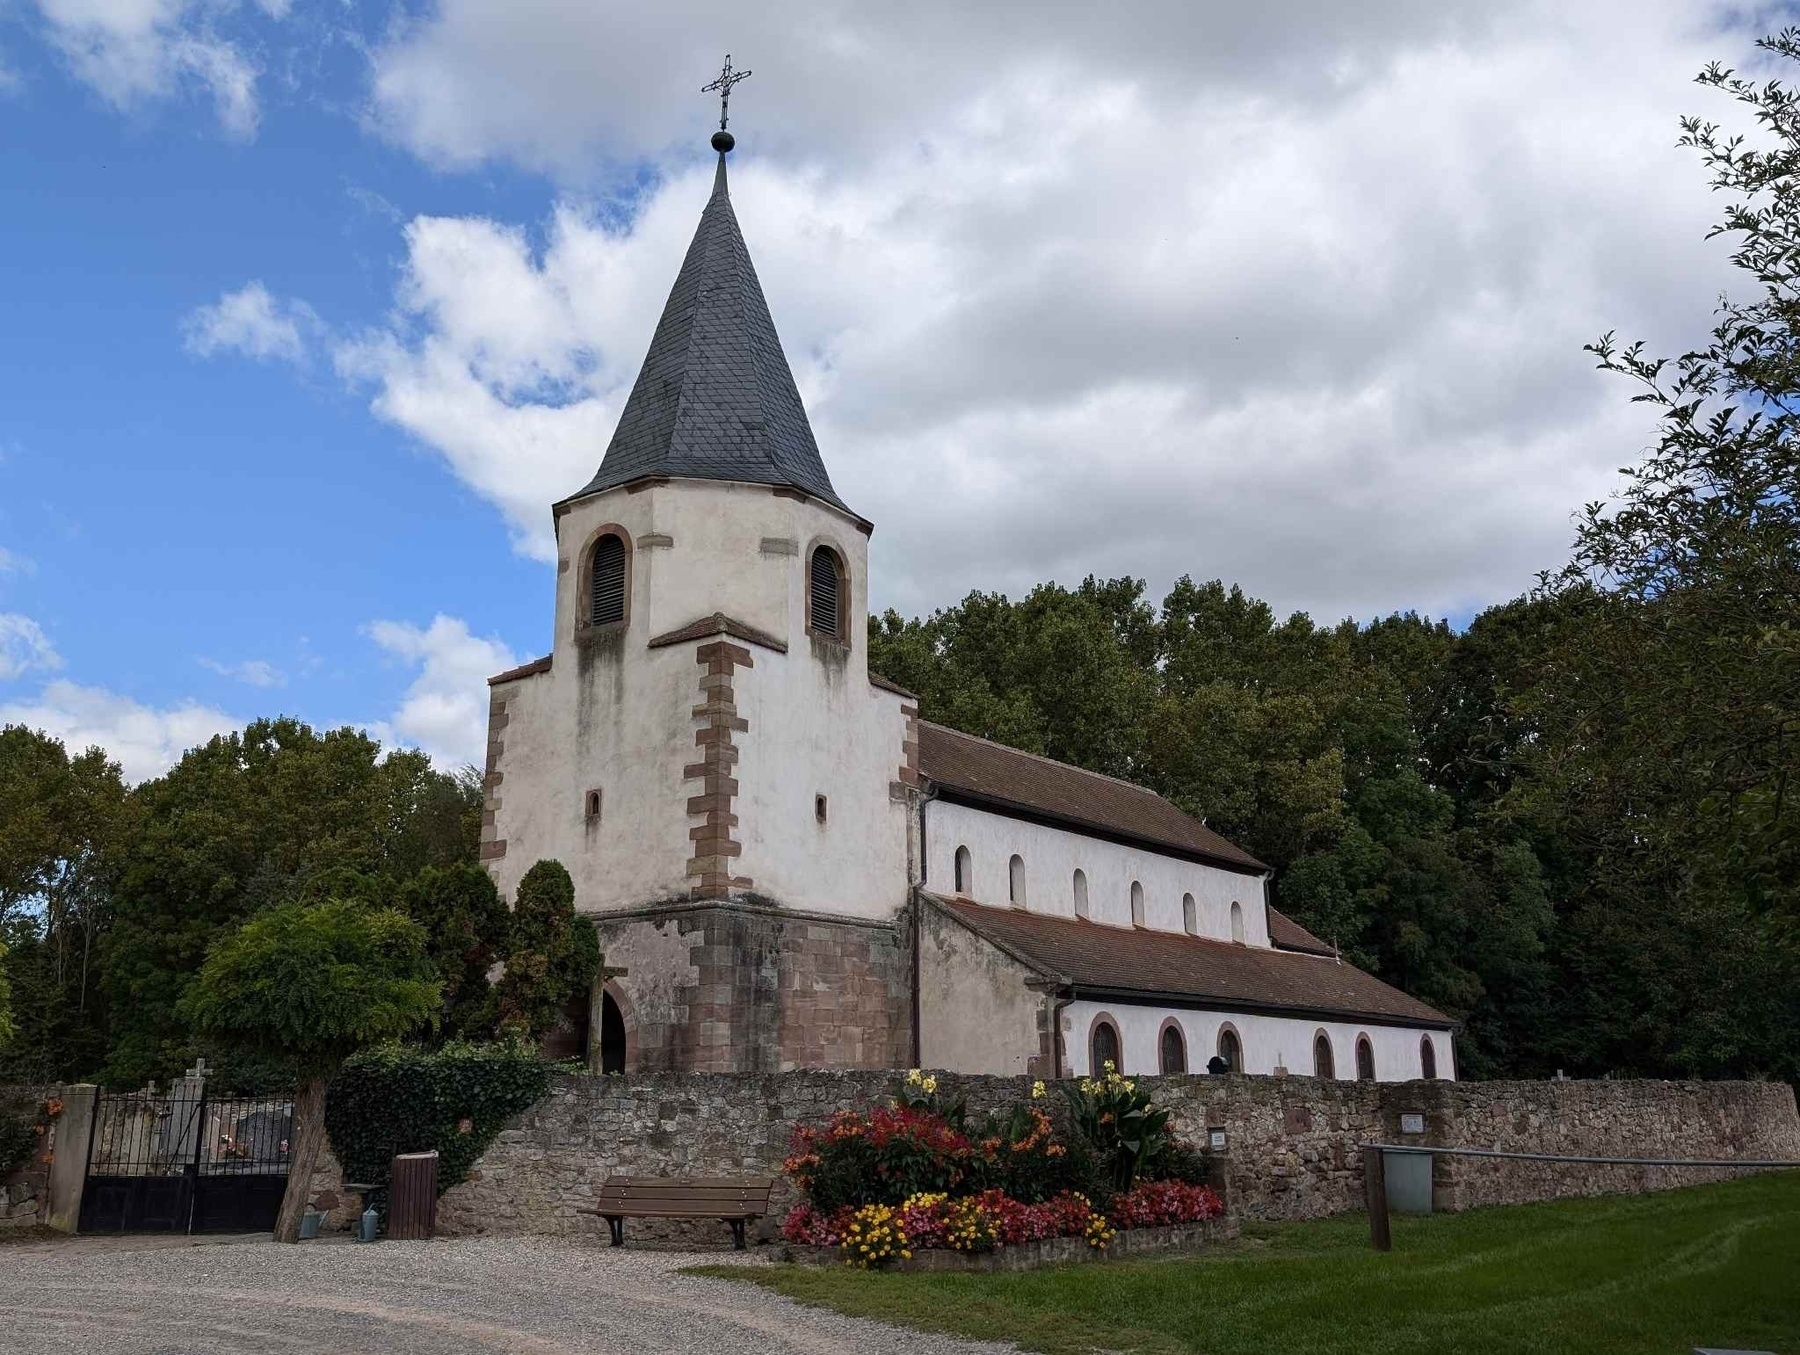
x=534, y=1297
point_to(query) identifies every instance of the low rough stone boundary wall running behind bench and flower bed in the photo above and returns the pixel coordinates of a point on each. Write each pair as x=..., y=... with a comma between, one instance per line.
x=1291, y=1142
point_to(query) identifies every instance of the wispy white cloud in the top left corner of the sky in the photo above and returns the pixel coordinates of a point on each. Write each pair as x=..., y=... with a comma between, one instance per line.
x=136, y=51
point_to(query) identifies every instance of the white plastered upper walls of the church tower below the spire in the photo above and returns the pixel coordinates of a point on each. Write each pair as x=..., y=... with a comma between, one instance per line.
x=616, y=717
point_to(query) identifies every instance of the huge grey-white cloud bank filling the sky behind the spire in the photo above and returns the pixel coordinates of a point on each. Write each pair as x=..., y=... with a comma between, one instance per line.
x=1290, y=300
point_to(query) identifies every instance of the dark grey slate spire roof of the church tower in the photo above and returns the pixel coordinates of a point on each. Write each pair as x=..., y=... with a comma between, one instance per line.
x=715, y=399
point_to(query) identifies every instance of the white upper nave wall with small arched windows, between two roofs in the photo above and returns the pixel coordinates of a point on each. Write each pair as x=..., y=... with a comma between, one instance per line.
x=1052, y=856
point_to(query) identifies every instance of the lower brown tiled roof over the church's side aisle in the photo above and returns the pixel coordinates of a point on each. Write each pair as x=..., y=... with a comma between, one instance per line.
x=1149, y=967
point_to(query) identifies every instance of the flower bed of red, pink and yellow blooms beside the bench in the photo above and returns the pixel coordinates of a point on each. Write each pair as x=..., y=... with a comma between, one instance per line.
x=910, y=1187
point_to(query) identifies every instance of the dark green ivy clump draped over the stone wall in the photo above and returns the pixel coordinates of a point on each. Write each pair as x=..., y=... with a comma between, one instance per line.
x=408, y=1100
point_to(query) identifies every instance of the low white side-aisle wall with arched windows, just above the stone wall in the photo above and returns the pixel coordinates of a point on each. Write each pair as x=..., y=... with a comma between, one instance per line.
x=1266, y=1041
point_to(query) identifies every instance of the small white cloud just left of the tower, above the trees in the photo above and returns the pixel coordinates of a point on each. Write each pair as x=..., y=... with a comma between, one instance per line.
x=445, y=710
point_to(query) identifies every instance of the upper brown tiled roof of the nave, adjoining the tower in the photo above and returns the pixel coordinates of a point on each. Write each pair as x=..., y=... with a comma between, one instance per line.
x=1012, y=780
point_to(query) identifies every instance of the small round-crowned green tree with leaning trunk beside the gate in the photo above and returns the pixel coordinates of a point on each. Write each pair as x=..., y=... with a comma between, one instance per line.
x=309, y=985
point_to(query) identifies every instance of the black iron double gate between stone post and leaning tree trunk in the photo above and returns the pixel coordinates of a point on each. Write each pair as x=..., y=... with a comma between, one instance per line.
x=186, y=1163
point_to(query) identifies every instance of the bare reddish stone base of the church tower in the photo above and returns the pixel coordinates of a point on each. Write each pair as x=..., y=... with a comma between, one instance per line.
x=746, y=989
